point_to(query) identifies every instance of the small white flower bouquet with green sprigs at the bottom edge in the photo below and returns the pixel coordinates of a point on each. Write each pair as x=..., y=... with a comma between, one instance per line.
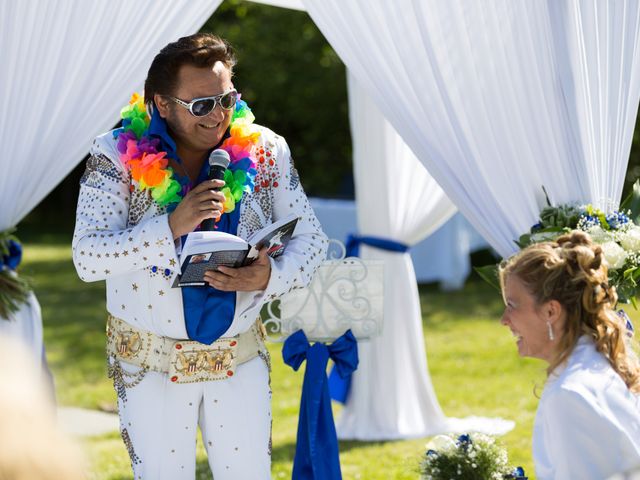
x=467, y=457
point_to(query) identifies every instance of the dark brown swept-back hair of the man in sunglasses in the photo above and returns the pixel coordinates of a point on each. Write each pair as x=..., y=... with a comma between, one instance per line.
x=200, y=50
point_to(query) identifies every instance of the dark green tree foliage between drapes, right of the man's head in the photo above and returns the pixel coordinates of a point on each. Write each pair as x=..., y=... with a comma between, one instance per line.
x=295, y=84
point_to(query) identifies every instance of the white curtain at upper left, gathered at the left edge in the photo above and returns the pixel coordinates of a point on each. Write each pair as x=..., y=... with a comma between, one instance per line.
x=67, y=69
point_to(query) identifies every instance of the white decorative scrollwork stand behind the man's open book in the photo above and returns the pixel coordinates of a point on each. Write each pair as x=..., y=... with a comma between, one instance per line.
x=346, y=293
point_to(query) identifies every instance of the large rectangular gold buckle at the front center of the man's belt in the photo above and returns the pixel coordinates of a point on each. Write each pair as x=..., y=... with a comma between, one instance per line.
x=197, y=362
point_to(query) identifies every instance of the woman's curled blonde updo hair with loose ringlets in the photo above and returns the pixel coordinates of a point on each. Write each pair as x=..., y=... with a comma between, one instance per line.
x=573, y=271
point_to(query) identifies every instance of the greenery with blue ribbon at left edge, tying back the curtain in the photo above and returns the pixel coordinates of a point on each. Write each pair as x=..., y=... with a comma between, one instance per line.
x=14, y=290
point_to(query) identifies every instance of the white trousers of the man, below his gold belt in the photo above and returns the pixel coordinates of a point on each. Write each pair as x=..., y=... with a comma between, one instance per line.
x=159, y=420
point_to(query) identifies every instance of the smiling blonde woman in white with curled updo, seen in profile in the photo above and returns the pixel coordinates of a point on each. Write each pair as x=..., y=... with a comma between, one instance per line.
x=559, y=306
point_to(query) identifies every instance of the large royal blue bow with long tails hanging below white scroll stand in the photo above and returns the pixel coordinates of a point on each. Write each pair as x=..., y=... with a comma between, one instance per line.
x=316, y=456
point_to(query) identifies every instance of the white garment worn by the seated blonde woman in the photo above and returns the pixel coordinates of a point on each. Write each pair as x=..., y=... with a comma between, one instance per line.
x=588, y=422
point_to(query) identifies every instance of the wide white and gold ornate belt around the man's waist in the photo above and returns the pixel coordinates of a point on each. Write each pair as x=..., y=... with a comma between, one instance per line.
x=185, y=361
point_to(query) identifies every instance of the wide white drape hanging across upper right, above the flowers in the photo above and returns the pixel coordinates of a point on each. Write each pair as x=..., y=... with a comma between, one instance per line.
x=498, y=99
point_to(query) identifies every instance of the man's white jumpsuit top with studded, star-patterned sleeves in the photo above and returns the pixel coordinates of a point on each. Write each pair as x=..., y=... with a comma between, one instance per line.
x=123, y=236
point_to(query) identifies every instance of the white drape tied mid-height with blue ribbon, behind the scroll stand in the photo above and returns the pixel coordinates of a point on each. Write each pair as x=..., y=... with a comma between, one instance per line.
x=391, y=393
